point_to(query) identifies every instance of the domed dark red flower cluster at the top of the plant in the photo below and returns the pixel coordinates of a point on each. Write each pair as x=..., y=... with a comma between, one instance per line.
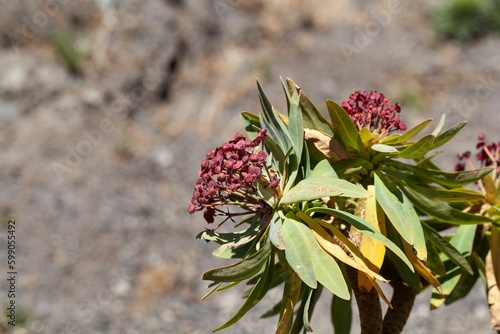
x=372, y=110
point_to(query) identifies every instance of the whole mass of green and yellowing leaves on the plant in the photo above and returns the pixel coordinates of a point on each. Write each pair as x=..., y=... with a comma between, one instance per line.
x=349, y=197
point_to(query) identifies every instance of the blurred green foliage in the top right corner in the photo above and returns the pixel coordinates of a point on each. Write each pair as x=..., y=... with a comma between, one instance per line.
x=465, y=20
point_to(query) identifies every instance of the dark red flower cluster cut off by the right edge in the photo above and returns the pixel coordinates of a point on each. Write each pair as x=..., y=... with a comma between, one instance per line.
x=488, y=155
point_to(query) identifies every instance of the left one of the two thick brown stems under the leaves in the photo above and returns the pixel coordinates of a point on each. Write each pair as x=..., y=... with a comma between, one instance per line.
x=370, y=311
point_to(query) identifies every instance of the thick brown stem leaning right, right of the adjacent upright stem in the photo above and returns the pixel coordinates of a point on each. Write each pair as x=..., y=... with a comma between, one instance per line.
x=402, y=303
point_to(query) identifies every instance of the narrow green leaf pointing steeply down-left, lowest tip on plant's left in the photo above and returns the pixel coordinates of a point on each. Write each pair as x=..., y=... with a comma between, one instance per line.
x=258, y=292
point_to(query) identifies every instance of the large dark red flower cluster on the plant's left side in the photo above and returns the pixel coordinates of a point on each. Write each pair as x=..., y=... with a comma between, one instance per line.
x=228, y=176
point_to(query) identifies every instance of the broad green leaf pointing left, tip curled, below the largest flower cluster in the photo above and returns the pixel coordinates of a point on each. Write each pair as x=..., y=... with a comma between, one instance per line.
x=244, y=269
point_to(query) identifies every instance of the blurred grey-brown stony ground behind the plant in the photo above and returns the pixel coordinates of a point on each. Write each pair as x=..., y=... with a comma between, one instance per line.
x=97, y=167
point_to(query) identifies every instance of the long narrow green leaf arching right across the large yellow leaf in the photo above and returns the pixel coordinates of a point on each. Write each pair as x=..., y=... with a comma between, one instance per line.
x=365, y=228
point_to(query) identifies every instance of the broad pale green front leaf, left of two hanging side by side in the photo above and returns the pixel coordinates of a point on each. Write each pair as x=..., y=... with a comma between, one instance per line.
x=298, y=250
